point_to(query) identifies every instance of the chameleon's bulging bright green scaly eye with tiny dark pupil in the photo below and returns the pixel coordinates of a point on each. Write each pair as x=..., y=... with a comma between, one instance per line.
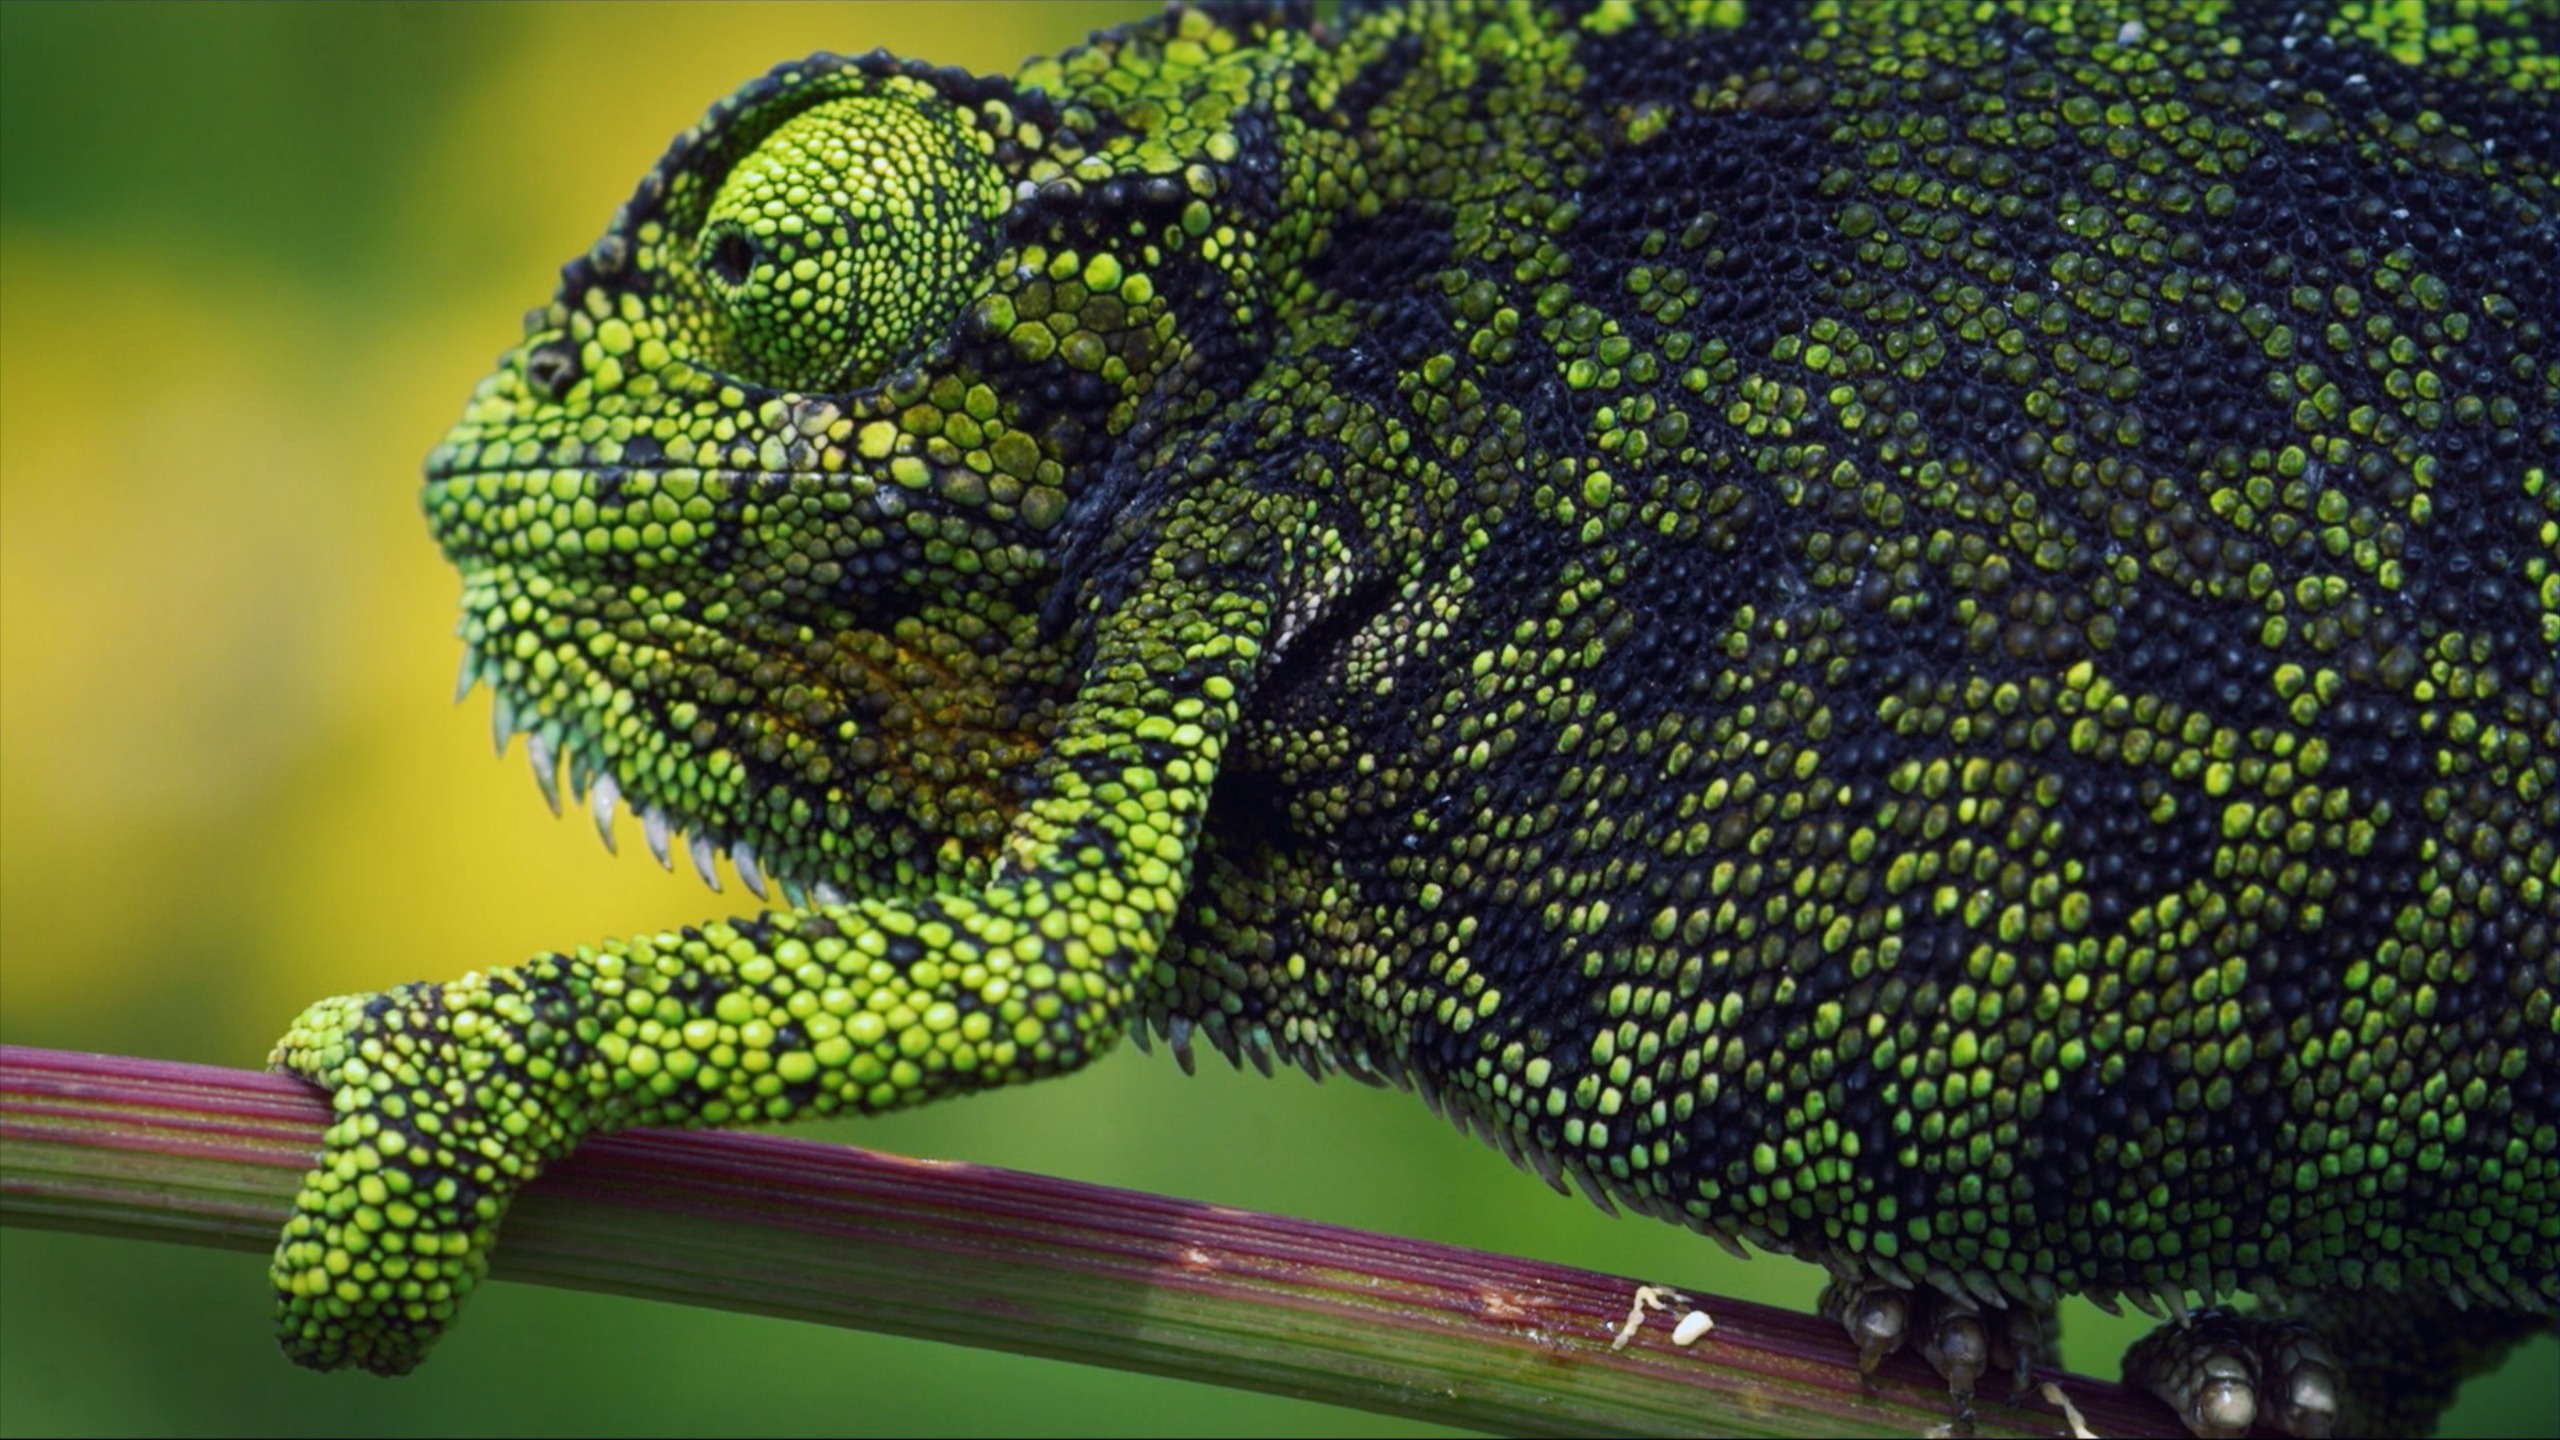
x=846, y=242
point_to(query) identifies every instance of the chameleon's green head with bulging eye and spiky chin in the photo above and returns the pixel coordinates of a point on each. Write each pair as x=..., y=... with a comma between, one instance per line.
x=759, y=521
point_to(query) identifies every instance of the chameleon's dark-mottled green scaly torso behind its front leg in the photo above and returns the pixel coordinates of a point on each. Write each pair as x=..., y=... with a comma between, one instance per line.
x=1944, y=652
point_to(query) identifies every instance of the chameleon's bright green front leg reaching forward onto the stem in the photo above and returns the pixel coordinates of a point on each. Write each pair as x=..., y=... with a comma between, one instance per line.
x=452, y=1095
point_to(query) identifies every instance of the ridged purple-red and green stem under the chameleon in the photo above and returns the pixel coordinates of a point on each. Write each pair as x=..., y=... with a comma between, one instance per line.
x=1002, y=1259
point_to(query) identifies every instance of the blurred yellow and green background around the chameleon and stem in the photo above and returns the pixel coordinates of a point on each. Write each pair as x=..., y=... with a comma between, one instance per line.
x=252, y=260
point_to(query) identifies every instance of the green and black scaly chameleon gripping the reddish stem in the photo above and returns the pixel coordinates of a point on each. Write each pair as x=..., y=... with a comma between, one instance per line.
x=1906, y=634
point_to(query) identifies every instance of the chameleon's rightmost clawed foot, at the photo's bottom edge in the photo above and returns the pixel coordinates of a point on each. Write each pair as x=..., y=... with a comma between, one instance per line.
x=2223, y=1372
